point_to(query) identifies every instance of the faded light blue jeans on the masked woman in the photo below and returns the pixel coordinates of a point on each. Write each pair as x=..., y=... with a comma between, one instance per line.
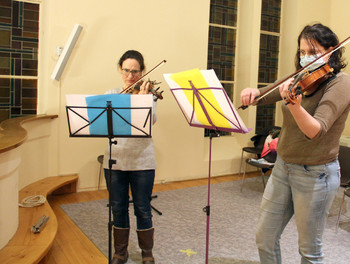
x=304, y=191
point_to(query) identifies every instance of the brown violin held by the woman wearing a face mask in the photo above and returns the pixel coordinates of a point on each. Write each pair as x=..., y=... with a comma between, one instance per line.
x=307, y=83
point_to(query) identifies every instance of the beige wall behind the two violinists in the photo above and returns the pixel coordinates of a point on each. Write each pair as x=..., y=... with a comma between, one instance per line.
x=161, y=29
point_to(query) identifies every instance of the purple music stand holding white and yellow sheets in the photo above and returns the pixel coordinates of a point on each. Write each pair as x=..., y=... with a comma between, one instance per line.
x=208, y=107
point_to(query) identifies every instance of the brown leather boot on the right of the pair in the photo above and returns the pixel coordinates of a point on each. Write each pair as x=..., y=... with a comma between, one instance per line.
x=145, y=238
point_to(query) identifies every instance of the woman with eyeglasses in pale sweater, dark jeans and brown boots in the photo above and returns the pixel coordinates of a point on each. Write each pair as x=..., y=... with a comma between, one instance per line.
x=135, y=168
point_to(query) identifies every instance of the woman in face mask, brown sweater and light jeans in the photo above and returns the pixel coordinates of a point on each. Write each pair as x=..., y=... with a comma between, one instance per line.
x=306, y=175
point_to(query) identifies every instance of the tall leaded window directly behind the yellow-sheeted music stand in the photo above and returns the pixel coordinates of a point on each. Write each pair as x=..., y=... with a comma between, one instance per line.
x=222, y=44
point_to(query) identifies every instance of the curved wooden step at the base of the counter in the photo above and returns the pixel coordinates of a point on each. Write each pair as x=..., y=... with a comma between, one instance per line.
x=25, y=246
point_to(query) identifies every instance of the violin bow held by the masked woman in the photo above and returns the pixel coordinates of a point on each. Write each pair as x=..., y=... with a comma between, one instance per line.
x=297, y=73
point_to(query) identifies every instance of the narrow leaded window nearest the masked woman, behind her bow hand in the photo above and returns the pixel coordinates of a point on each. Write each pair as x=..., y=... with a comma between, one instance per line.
x=268, y=57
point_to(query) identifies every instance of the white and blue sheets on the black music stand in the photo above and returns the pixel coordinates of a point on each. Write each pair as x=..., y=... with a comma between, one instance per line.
x=131, y=114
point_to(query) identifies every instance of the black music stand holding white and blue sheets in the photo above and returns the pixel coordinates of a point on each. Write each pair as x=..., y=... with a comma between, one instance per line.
x=95, y=116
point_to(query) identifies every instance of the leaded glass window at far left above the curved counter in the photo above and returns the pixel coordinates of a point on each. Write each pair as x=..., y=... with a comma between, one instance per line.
x=19, y=39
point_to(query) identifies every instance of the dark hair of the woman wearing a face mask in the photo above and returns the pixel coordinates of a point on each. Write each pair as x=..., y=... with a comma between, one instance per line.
x=326, y=38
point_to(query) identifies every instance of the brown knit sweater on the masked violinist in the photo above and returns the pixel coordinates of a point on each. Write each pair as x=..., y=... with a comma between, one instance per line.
x=330, y=106
